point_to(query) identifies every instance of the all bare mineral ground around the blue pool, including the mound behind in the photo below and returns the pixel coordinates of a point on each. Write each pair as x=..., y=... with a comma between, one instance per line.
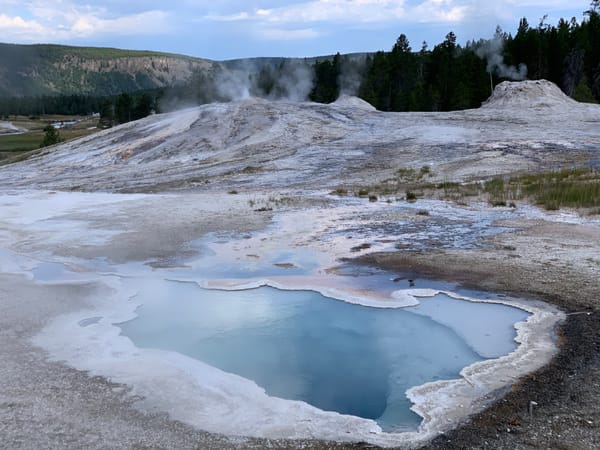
x=240, y=167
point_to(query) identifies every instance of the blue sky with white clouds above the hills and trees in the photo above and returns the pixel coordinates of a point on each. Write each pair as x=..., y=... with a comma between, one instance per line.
x=229, y=29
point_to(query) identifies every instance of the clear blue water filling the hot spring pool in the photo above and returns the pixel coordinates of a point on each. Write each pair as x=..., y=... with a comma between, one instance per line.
x=301, y=345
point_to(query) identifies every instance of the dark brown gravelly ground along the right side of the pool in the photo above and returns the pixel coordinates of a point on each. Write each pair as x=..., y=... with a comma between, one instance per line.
x=566, y=392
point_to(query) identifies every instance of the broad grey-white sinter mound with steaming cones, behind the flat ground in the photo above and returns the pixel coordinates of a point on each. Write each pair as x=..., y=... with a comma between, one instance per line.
x=255, y=144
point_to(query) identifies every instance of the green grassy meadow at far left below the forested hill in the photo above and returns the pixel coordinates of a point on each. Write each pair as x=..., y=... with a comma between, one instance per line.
x=16, y=145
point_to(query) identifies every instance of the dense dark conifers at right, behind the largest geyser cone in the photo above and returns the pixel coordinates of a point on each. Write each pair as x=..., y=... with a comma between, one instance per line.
x=452, y=77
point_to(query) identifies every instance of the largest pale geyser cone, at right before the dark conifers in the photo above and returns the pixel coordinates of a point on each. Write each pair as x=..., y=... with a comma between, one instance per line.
x=538, y=94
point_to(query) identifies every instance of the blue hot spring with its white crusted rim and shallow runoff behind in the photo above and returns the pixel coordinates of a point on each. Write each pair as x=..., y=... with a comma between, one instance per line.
x=275, y=334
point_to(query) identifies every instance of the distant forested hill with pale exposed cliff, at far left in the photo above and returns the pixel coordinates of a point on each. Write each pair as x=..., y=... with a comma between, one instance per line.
x=35, y=70
